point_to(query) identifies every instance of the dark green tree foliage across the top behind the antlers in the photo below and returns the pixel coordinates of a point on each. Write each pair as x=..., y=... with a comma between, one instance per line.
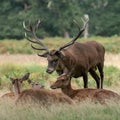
x=57, y=17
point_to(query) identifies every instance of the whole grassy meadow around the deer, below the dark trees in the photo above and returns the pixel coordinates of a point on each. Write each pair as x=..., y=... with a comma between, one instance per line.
x=17, y=58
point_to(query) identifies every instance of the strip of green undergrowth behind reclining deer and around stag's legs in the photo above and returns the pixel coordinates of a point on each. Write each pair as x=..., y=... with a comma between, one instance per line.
x=112, y=75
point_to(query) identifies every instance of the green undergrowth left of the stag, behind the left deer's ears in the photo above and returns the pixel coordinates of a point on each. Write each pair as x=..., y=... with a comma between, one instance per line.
x=16, y=71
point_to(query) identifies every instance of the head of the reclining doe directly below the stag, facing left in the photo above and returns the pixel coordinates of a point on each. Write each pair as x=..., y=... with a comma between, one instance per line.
x=62, y=82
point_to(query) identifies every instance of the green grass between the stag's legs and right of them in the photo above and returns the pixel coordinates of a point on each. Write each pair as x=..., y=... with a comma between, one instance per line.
x=111, y=78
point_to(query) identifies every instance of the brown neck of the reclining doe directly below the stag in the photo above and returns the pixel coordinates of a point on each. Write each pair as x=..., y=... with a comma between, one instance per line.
x=68, y=91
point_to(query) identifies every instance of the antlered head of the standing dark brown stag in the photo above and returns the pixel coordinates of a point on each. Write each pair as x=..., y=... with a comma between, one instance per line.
x=53, y=56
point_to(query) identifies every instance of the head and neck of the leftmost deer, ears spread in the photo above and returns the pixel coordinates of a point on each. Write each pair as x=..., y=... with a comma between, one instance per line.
x=17, y=82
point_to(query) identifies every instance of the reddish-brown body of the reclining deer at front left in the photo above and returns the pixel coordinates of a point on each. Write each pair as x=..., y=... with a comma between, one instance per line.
x=43, y=97
